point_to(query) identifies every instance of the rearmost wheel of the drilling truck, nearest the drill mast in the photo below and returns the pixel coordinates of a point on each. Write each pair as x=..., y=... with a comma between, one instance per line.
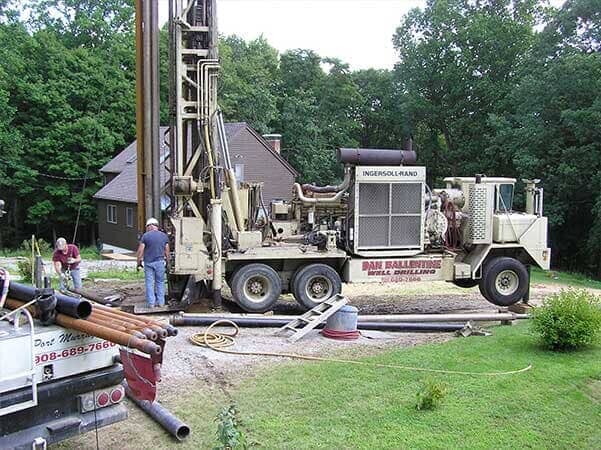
x=256, y=287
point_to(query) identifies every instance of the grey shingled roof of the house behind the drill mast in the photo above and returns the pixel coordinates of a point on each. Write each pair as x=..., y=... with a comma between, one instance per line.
x=123, y=188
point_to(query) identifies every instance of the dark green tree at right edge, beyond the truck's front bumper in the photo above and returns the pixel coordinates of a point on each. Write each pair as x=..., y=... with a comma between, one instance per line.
x=550, y=130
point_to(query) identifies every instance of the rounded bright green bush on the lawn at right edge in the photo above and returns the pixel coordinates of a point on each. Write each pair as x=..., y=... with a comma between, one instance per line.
x=569, y=320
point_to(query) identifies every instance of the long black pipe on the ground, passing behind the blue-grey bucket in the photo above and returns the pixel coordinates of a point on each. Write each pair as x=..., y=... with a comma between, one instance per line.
x=261, y=322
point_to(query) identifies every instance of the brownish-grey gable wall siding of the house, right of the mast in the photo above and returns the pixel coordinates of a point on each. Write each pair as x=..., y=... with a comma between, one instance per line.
x=261, y=165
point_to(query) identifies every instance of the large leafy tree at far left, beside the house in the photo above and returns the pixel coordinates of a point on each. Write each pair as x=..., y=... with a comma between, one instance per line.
x=71, y=99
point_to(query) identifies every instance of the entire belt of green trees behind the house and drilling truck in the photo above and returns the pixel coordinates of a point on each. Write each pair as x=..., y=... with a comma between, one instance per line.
x=502, y=87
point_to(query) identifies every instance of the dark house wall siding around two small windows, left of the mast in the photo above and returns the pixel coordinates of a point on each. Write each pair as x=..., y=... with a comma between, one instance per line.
x=119, y=234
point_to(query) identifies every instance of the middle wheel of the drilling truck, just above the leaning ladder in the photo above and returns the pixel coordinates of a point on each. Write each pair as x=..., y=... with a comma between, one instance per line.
x=314, y=284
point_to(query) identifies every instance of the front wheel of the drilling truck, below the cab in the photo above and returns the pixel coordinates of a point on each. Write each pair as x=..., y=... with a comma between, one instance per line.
x=504, y=281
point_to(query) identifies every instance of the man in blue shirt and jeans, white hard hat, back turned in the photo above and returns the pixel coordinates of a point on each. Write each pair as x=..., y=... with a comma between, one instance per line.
x=154, y=251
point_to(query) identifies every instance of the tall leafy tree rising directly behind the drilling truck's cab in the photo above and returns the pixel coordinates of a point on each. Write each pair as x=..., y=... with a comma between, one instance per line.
x=457, y=62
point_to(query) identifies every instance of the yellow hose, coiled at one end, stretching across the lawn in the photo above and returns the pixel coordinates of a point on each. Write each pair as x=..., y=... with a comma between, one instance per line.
x=219, y=342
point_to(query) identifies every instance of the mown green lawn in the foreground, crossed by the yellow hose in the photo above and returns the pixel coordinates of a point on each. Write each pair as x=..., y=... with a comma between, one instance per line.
x=304, y=405
